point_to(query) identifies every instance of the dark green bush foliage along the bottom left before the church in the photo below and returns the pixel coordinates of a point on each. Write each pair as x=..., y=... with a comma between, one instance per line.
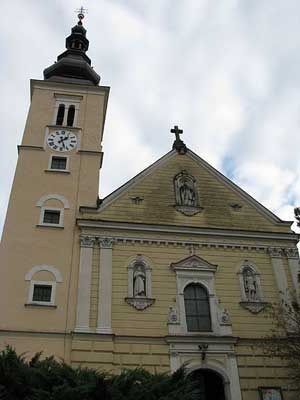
x=50, y=379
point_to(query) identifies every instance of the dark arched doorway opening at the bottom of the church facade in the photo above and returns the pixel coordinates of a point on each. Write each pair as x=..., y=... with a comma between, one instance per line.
x=211, y=384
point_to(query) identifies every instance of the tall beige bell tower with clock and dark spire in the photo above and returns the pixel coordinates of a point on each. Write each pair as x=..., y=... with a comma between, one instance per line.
x=57, y=171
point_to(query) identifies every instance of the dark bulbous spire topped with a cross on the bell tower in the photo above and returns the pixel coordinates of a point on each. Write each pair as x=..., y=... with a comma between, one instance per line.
x=73, y=65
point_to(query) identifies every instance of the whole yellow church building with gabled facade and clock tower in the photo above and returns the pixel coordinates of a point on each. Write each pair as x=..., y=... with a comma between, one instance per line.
x=177, y=266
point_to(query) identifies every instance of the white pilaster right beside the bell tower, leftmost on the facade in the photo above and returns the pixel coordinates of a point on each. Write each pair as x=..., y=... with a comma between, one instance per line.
x=84, y=284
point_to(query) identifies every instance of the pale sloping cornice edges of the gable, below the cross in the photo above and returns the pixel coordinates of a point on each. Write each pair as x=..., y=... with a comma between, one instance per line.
x=111, y=198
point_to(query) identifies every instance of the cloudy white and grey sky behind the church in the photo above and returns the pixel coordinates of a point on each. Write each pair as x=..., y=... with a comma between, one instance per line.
x=225, y=71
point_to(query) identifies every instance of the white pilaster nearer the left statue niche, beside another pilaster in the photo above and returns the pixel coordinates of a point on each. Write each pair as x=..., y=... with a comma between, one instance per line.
x=105, y=286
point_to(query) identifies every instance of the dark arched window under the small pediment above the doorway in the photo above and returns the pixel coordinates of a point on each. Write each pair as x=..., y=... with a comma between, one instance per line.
x=197, y=312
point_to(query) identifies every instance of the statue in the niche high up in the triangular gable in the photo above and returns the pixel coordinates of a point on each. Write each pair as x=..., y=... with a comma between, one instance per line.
x=186, y=194
